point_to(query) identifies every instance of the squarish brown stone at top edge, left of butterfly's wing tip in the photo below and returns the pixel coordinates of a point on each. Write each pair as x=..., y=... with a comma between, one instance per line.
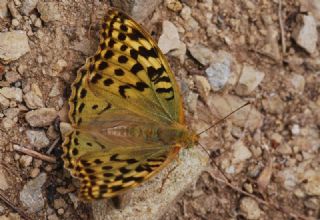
x=49, y=11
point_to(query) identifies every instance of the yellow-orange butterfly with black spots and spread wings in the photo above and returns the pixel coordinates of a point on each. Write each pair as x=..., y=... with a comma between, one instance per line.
x=126, y=112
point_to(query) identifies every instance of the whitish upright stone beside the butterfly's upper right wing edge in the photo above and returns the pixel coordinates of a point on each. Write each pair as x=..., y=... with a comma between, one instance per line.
x=169, y=39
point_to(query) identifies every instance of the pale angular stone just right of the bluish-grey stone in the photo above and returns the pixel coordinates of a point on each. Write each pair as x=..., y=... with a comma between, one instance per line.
x=249, y=80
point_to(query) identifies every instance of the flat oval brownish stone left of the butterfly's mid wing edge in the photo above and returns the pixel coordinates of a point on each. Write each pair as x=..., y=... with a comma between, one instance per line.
x=41, y=117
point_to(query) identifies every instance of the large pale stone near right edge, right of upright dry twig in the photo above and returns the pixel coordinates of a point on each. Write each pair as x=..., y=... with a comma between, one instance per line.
x=306, y=34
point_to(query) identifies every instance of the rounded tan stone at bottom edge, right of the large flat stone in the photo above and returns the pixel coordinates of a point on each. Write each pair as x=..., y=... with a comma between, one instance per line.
x=250, y=208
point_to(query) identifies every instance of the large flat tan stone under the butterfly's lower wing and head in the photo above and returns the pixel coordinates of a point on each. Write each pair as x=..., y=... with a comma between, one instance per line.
x=147, y=202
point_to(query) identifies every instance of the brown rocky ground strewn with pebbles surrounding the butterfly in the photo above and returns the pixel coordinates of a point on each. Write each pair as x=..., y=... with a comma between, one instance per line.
x=223, y=52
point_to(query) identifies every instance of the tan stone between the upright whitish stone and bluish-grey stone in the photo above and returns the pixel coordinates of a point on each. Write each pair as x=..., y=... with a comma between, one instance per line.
x=201, y=53
